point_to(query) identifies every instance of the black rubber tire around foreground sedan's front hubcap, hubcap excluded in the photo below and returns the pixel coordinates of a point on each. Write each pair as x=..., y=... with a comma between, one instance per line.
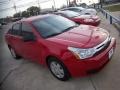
x=66, y=75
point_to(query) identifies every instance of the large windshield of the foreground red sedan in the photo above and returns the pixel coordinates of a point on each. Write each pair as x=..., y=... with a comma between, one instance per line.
x=53, y=25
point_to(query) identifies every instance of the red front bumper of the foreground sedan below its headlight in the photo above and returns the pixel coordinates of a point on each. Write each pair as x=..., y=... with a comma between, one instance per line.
x=84, y=67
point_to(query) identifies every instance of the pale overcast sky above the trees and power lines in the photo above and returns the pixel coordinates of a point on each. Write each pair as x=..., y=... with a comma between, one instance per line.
x=6, y=6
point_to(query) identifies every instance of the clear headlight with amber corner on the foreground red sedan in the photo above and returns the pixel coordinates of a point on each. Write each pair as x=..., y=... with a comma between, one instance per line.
x=82, y=53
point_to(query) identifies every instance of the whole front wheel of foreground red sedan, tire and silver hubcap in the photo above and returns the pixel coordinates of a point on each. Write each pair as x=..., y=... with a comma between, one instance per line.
x=58, y=69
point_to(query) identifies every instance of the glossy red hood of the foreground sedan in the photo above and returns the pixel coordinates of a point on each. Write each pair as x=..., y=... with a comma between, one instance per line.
x=83, y=36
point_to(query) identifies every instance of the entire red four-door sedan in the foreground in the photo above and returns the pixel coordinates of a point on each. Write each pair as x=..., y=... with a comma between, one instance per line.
x=68, y=49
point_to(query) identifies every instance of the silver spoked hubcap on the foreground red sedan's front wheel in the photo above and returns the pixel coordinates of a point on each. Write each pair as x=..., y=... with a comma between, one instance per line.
x=57, y=69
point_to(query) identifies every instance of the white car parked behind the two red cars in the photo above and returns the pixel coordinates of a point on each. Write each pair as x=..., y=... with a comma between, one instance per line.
x=82, y=11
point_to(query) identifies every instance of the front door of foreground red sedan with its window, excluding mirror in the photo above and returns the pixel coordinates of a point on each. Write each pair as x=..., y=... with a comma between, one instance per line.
x=30, y=49
